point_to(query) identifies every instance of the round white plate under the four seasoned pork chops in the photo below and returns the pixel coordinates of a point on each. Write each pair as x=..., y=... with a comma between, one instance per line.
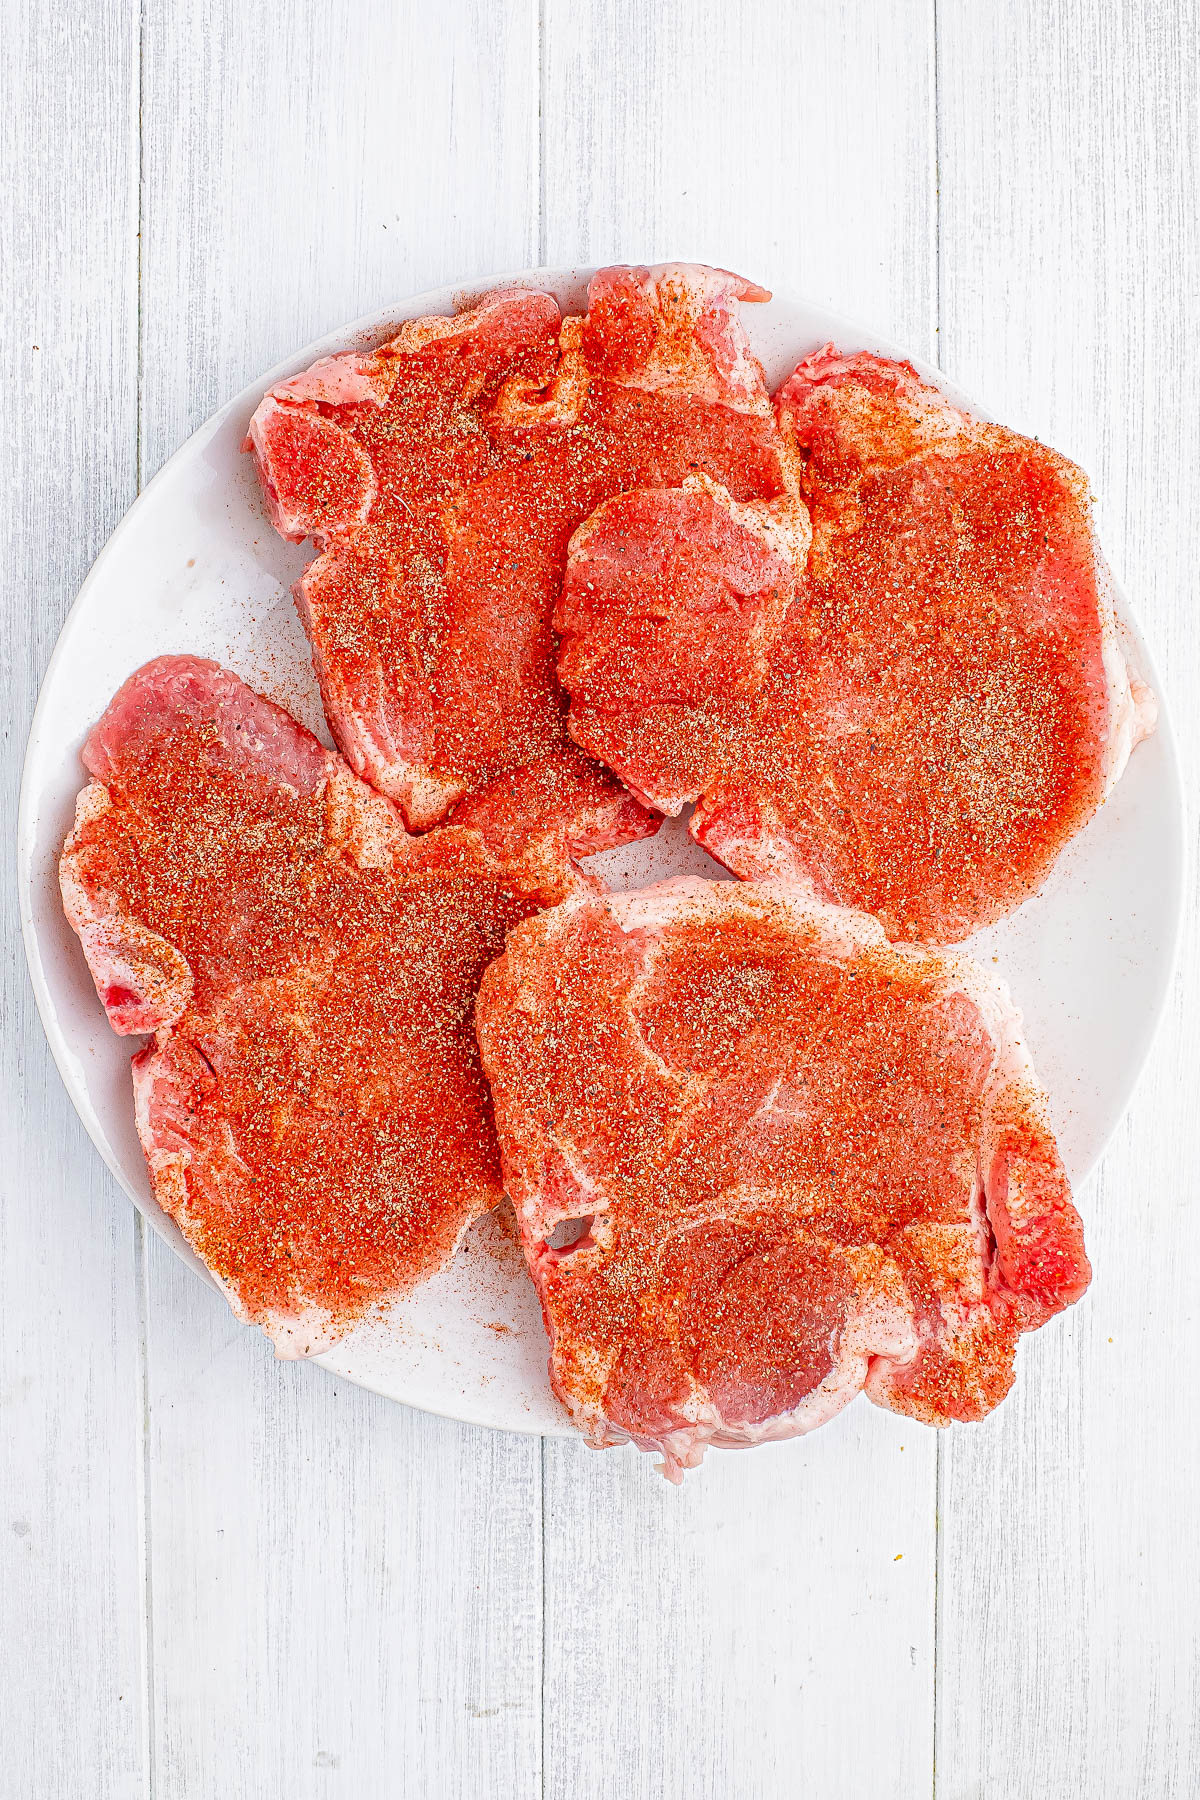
x=197, y=568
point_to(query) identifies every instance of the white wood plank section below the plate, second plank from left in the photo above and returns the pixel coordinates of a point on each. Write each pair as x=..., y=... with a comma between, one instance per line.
x=346, y=1594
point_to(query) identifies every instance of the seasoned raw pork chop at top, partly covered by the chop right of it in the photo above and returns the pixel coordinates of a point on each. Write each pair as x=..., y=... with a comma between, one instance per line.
x=443, y=476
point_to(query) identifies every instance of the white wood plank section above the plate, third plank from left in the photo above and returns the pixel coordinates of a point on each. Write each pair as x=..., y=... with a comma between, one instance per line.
x=791, y=143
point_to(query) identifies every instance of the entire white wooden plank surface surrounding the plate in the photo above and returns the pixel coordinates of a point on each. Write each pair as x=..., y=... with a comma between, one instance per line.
x=228, y=1578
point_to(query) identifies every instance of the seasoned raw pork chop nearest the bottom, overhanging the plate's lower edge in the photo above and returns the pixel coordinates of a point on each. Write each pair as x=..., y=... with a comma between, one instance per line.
x=764, y=1160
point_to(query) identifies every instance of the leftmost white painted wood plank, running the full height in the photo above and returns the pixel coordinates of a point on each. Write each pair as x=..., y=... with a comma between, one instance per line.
x=71, y=1567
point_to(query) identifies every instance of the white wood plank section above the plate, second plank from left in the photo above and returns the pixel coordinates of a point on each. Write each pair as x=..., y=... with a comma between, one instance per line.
x=305, y=165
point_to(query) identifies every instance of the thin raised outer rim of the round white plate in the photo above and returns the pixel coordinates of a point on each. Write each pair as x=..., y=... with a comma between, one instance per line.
x=355, y=334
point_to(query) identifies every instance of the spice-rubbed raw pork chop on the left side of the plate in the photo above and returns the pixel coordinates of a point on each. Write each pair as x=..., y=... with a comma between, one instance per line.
x=312, y=1106
